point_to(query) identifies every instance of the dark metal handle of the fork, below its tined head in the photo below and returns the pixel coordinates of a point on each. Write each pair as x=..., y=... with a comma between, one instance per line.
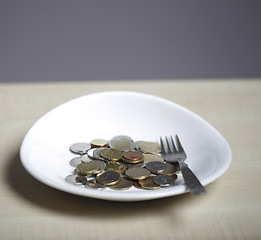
x=191, y=181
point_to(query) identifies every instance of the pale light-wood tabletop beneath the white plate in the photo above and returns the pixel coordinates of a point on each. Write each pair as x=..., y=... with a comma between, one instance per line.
x=230, y=210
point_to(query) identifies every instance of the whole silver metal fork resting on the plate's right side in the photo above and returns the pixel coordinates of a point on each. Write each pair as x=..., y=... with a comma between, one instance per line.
x=172, y=154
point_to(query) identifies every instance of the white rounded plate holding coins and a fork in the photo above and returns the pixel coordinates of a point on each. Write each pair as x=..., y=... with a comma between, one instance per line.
x=45, y=149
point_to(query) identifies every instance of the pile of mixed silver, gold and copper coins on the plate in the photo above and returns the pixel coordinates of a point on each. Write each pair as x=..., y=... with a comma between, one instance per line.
x=119, y=164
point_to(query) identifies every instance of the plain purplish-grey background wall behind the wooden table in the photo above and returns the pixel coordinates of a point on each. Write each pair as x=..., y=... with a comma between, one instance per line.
x=137, y=39
